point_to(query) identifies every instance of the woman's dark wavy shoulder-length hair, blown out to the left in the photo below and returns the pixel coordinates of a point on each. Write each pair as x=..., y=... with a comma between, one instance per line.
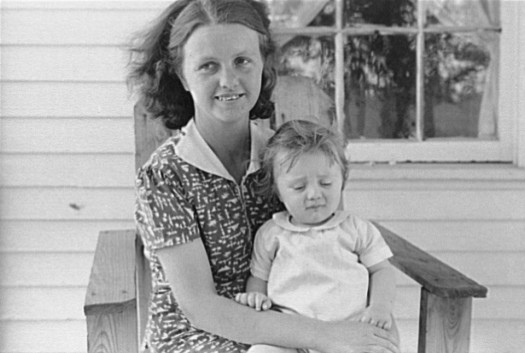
x=157, y=55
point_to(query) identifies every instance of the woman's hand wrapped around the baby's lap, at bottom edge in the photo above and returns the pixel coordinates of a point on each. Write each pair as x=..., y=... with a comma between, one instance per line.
x=358, y=337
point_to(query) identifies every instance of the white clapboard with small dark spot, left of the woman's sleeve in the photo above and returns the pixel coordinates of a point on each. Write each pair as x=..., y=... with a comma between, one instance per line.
x=67, y=204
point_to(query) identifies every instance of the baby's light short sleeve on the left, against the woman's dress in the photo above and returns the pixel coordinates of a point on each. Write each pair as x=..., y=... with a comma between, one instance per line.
x=264, y=248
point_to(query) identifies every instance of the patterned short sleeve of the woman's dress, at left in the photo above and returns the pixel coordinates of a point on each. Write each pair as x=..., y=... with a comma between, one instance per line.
x=164, y=213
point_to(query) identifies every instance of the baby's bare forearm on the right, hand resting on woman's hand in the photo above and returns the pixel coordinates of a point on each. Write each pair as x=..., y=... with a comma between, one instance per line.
x=382, y=295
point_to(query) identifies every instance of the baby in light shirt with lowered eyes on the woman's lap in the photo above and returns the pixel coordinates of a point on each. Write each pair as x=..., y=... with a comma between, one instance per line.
x=315, y=259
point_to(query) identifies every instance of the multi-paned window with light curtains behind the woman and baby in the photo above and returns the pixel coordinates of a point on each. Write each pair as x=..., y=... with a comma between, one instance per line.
x=404, y=80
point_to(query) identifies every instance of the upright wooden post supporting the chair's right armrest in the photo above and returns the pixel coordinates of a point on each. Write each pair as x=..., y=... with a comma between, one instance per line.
x=444, y=324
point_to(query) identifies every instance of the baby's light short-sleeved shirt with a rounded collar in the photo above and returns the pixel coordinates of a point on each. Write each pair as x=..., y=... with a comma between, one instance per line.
x=320, y=271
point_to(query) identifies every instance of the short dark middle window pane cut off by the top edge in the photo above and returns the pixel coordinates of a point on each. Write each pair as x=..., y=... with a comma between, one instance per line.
x=398, y=13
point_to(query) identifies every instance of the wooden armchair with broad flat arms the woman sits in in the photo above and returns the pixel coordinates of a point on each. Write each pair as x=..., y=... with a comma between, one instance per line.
x=119, y=285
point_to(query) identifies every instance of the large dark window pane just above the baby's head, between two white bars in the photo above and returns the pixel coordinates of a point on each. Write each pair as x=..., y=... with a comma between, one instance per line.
x=379, y=86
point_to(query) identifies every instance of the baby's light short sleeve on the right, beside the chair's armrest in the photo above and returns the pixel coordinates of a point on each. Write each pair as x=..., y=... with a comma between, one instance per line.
x=370, y=245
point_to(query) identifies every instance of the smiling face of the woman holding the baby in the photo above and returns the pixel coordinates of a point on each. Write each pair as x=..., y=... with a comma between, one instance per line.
x=222, y=69
